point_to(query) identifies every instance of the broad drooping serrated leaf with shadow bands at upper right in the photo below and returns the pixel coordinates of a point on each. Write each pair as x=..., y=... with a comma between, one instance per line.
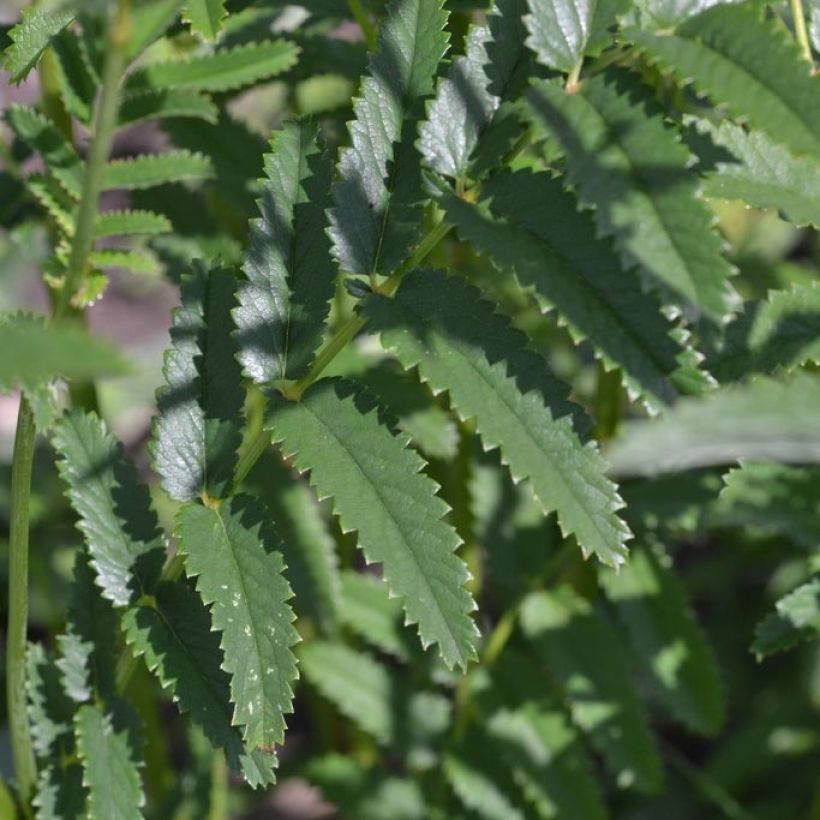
x=631, y=167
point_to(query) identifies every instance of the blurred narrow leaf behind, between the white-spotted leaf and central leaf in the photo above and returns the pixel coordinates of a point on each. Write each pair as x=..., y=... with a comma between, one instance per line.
x=308, y=547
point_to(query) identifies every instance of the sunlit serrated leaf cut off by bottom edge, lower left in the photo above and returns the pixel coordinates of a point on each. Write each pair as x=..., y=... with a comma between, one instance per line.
x=107, y=746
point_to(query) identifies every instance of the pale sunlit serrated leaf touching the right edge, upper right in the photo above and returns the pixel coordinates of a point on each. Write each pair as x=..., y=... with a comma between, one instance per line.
x=748, y=165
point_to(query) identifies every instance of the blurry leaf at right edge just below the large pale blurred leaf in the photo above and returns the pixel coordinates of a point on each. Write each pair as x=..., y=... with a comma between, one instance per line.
x=778, y=498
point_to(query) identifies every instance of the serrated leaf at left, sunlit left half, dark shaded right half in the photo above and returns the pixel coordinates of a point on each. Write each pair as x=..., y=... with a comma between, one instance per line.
x=125, y=543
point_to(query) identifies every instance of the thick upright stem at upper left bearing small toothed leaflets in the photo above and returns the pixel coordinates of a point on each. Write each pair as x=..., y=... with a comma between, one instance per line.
x=104, y=126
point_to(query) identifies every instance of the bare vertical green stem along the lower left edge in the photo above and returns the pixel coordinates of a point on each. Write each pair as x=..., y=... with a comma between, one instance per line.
x=21, y=749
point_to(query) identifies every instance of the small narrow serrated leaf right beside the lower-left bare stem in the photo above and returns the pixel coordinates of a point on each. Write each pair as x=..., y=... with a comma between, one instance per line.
x=49, y=708
